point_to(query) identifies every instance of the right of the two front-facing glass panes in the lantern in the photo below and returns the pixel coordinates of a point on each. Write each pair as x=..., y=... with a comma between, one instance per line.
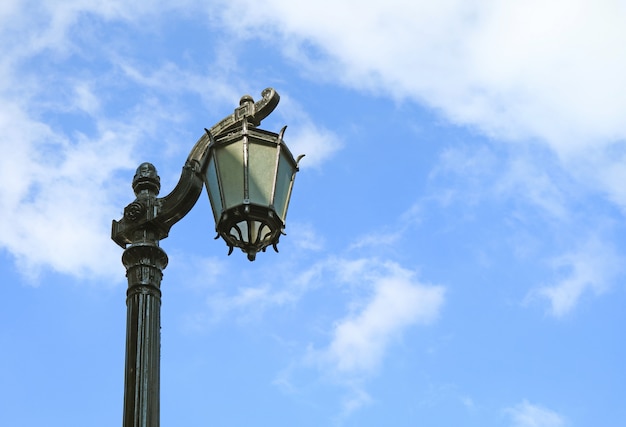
x=262, y=169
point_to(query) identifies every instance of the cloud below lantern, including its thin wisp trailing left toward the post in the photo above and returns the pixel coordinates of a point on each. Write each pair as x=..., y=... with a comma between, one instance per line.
x=380, y=302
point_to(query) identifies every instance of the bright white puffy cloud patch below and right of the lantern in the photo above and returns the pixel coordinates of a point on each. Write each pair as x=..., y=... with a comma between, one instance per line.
x=387, y=300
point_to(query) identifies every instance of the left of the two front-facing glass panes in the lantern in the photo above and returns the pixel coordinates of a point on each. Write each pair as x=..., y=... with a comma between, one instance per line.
x=230, y=167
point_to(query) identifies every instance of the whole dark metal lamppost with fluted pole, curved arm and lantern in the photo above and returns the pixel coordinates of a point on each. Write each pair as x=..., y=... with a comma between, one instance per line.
x=248, y=173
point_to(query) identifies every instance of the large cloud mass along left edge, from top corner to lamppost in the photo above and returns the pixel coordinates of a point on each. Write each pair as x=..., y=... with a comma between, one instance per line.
x=60, y=188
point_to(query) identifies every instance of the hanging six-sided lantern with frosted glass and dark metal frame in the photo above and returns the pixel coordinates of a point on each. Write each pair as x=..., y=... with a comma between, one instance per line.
x=249, y=175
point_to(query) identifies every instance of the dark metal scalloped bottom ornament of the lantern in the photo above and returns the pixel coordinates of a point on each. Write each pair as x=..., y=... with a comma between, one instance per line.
x=251, y=228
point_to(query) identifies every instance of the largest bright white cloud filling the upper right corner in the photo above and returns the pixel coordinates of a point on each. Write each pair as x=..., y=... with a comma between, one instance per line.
x=552, y=71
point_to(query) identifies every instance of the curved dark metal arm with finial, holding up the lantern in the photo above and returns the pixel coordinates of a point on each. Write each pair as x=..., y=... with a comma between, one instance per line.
x=160, y=214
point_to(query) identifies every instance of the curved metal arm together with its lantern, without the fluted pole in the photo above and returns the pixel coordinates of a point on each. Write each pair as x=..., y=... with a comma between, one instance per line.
x=248, y=174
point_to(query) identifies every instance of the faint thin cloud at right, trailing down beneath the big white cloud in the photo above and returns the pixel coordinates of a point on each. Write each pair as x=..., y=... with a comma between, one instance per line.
x=544, y=211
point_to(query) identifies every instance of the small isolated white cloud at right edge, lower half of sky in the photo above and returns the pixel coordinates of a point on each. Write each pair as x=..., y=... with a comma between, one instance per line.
x=590, y=268
